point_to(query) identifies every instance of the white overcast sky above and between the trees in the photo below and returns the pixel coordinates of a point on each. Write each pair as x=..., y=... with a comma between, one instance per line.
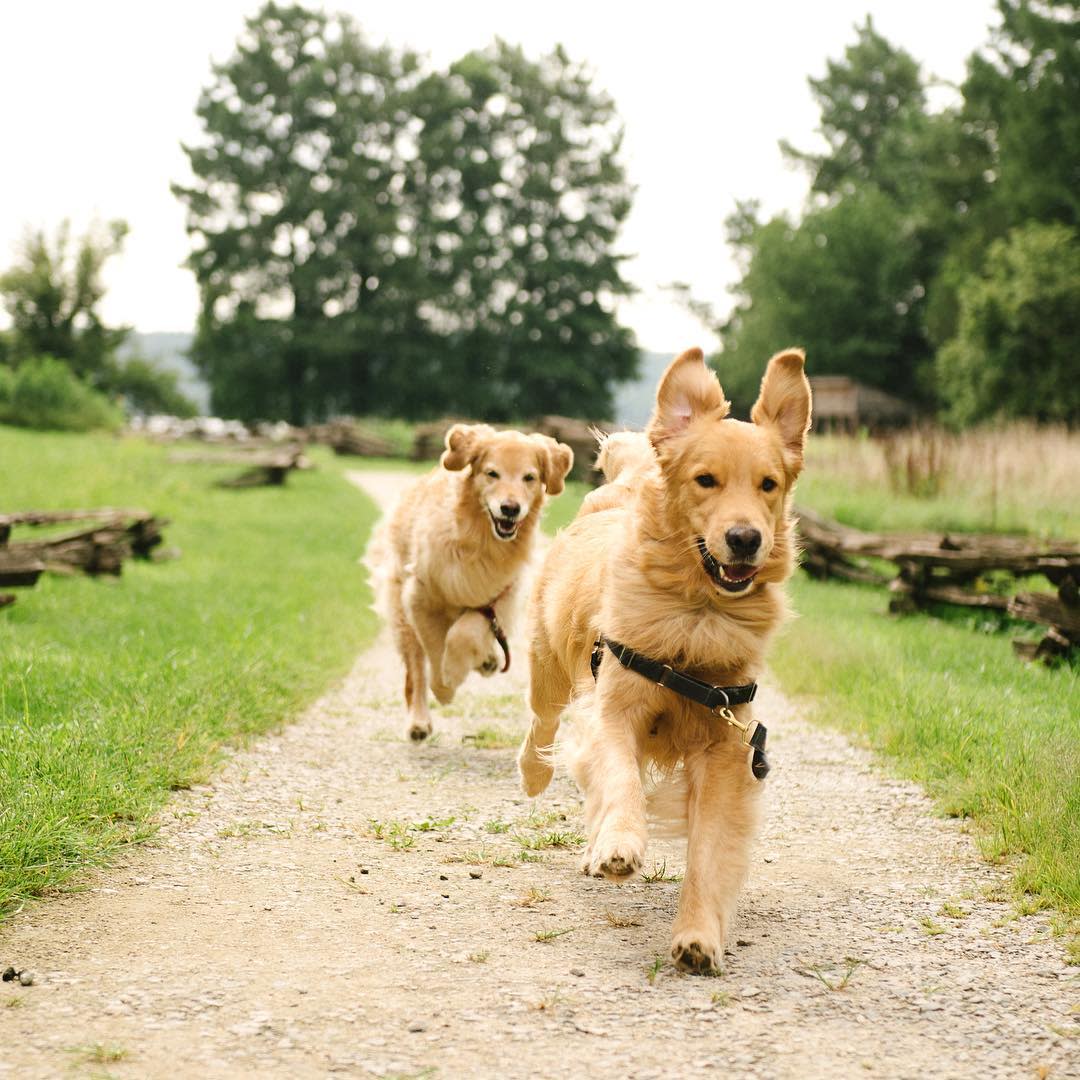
x=97, y=99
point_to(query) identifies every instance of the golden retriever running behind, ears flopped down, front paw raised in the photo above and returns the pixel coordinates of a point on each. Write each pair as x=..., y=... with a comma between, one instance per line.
x=449, y=563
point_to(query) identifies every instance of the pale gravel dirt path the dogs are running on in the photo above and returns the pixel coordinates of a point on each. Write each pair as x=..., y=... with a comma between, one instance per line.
x=269, y=931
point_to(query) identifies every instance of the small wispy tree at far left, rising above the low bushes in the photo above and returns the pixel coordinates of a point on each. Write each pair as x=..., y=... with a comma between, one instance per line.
x=53, y=293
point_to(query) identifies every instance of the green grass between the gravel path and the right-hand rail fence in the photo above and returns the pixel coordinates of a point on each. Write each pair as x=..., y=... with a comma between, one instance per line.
x=990, y=738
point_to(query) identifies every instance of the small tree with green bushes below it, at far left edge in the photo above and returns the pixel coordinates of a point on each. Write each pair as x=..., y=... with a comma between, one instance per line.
x=61, y=367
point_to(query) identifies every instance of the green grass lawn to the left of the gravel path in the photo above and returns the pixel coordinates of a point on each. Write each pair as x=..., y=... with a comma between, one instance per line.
x=115, y=693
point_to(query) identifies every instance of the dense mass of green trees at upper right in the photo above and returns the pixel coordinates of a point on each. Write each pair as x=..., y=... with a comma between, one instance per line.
x=939, y=256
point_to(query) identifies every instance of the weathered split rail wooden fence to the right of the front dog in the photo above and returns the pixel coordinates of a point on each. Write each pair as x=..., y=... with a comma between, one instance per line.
x=952, y=569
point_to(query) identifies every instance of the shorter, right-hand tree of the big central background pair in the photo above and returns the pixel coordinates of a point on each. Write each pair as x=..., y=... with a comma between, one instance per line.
x=521, y=196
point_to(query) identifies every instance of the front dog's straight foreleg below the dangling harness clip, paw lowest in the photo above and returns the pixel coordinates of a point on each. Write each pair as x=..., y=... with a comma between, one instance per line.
x=723, y=815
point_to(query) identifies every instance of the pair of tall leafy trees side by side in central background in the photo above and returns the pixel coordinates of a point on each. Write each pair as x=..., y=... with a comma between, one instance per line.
x=372, y=236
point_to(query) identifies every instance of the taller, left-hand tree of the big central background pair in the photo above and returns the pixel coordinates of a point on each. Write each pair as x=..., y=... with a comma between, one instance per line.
x=298, y=220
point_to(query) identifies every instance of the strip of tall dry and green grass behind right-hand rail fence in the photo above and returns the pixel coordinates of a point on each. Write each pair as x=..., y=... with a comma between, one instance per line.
x=1016, y=479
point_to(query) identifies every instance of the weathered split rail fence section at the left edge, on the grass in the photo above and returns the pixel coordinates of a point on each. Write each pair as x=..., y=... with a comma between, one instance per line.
x=100, y=547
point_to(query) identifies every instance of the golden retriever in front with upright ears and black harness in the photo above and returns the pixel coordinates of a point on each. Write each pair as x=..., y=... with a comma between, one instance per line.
x=669, y=584
